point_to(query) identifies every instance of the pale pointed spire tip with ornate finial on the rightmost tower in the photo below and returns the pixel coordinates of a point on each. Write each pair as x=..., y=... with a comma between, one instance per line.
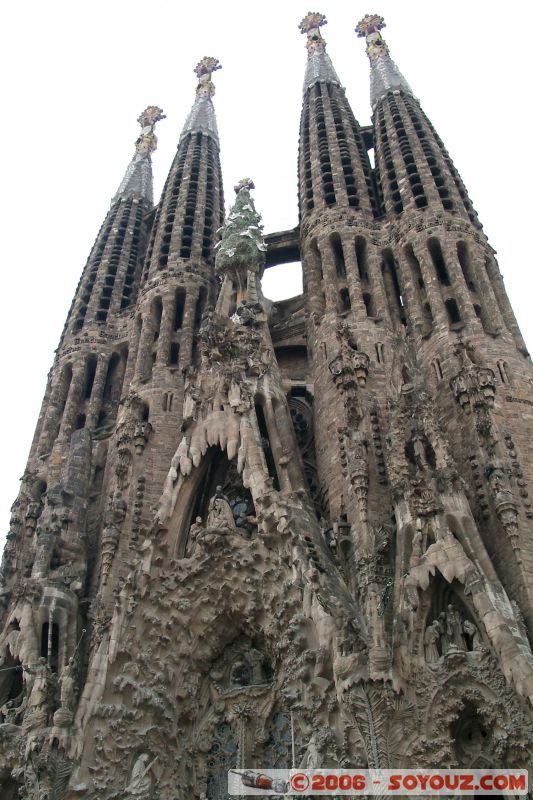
x=384, y=74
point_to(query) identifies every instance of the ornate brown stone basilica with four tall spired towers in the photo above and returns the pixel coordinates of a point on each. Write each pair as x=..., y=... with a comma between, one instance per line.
x=256, y=534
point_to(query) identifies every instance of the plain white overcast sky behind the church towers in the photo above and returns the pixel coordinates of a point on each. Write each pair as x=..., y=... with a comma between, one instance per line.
x=76, y=76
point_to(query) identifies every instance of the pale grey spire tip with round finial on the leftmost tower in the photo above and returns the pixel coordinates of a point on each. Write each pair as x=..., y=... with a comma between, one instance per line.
x=138, y=177
